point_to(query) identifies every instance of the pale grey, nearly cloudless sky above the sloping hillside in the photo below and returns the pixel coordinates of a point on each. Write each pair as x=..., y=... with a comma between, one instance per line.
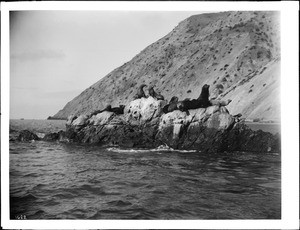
x=55, y=55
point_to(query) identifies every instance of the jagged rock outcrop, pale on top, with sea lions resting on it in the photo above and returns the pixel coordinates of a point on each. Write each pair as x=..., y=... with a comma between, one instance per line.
x=144, y=125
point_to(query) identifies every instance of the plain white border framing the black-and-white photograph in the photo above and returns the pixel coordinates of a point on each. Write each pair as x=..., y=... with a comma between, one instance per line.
x=289, y=117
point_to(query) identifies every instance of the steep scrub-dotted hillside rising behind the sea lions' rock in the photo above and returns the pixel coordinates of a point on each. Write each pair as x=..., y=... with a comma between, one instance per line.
x=236, y=53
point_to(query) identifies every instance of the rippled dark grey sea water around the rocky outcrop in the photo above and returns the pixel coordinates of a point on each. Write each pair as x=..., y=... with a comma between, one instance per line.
x=51, y=180
